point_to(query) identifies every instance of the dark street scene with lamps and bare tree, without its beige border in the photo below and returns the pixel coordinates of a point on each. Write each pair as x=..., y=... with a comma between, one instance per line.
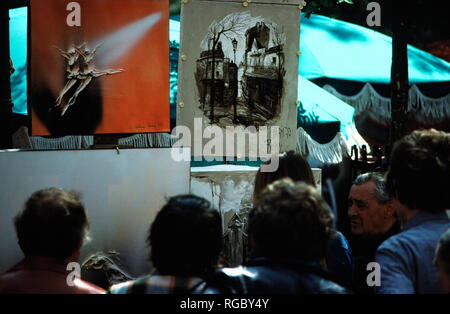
x=240, y=70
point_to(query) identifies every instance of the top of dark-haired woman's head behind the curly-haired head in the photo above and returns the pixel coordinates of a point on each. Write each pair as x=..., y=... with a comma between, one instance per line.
x=291, y=165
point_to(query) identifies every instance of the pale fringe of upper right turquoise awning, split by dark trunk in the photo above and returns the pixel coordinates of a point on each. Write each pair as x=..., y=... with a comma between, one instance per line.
x=425, y=109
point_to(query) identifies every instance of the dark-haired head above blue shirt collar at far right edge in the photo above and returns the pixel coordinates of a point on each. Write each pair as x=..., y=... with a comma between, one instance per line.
x=419, y=170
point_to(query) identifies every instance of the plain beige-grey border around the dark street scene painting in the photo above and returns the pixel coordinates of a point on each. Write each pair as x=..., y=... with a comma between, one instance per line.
x=192, y=36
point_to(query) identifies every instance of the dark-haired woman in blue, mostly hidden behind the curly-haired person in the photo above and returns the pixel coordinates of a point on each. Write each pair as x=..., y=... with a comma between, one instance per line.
x=339, y=259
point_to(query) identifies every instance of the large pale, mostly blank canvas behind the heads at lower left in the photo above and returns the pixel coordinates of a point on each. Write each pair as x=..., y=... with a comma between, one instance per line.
x=122, y=191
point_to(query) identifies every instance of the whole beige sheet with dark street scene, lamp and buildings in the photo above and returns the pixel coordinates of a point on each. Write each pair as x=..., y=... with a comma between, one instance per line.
x=238, y=72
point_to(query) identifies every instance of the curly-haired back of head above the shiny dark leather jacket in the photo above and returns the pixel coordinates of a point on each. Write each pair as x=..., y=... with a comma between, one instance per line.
x=290, y=221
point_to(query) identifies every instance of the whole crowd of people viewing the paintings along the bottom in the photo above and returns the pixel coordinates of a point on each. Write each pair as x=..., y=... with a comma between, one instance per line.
x=398, y=222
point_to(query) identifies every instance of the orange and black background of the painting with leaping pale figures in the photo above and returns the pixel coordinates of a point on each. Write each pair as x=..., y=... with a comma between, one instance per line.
x=133, y=101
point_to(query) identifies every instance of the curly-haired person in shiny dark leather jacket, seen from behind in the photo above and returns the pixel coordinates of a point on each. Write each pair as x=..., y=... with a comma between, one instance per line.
x=289, y=230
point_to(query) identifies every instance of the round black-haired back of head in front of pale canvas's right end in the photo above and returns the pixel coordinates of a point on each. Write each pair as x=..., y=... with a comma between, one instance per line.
x=186, y=237
